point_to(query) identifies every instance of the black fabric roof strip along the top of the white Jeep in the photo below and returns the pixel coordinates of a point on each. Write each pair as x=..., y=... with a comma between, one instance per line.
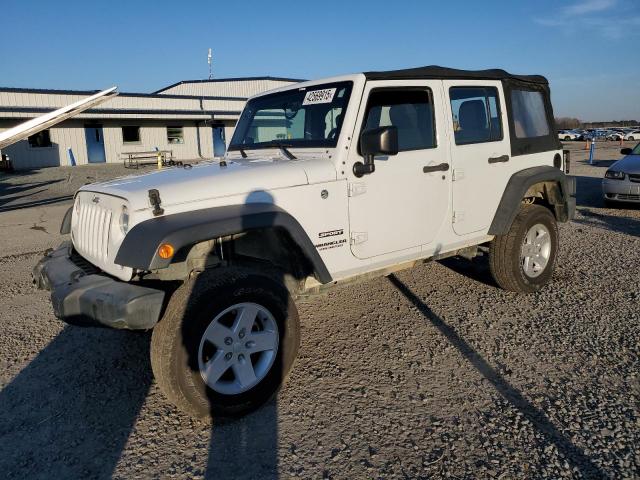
x=434, y=71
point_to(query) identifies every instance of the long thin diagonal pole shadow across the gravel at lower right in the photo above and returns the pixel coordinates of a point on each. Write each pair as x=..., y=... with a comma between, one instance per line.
x=574, y=454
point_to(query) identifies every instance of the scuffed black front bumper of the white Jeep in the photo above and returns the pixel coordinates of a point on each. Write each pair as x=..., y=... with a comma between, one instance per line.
x=86, y=298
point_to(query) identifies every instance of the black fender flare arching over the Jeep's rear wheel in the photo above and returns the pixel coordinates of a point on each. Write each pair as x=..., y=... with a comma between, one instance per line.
x=517, y=187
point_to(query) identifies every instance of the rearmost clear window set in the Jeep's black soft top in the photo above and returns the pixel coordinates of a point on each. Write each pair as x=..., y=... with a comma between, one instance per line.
x=529, y=114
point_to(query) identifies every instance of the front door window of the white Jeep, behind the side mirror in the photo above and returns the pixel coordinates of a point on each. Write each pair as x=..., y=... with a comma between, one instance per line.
x=410, y=111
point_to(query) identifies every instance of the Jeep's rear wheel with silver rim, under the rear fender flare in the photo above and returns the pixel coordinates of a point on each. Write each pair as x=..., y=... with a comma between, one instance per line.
x=522, y=260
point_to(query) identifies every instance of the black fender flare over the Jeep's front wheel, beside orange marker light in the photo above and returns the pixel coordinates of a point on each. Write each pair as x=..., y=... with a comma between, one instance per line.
x=139, y=248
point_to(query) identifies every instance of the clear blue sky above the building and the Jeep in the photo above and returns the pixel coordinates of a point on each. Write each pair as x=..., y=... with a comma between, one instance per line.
x=589, y=49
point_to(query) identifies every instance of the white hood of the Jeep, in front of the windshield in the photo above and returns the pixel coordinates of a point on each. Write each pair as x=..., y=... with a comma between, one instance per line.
x=209, y=180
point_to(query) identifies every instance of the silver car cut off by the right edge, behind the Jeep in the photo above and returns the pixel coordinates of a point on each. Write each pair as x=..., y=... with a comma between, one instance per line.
x=621, y=182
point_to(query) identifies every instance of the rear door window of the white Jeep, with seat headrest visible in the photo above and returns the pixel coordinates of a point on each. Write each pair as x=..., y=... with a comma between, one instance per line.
x=476, y=114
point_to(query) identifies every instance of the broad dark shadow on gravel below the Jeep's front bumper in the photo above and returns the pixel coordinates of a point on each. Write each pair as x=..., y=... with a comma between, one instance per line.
x=70, y=411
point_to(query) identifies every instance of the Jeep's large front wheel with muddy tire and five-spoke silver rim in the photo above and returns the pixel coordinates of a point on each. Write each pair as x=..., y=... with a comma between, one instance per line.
x=226, y=343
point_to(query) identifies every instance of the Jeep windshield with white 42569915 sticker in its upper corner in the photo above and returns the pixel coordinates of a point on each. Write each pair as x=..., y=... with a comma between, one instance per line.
x=304, y=117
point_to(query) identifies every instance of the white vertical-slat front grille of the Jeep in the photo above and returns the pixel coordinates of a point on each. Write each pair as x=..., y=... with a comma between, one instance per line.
x=92, y=234
